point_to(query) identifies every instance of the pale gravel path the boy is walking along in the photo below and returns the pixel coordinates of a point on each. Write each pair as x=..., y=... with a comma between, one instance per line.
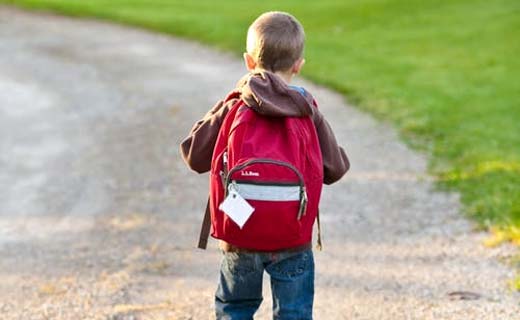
x=99, y=216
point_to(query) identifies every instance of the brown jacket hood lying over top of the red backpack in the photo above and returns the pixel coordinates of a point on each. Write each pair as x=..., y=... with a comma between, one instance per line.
x=269, y=95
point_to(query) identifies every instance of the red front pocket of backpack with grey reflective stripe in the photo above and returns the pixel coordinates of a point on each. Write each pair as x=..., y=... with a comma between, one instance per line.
x=277, y=193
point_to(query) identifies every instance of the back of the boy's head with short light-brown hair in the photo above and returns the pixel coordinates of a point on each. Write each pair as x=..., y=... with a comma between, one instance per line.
x=275, y=40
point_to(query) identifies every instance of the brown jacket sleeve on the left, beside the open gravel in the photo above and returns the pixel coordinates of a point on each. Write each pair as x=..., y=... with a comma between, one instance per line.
x=197, y=147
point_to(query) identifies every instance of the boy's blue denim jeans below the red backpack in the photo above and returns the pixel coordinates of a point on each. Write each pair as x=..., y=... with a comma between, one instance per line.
x=239, y=293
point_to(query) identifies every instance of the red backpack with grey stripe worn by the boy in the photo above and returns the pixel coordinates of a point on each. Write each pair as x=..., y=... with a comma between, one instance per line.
x=275, y=164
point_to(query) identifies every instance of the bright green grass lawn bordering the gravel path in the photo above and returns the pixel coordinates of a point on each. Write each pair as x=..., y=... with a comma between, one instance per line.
x=446, y=73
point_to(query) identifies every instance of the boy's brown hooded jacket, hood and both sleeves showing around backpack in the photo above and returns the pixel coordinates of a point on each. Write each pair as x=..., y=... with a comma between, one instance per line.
x=268, y=95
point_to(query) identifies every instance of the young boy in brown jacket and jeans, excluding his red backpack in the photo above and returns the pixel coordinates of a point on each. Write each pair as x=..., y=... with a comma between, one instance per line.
x=275, y=44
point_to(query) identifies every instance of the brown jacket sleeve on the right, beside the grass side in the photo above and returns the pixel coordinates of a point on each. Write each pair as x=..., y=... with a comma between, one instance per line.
x=335, y=161
